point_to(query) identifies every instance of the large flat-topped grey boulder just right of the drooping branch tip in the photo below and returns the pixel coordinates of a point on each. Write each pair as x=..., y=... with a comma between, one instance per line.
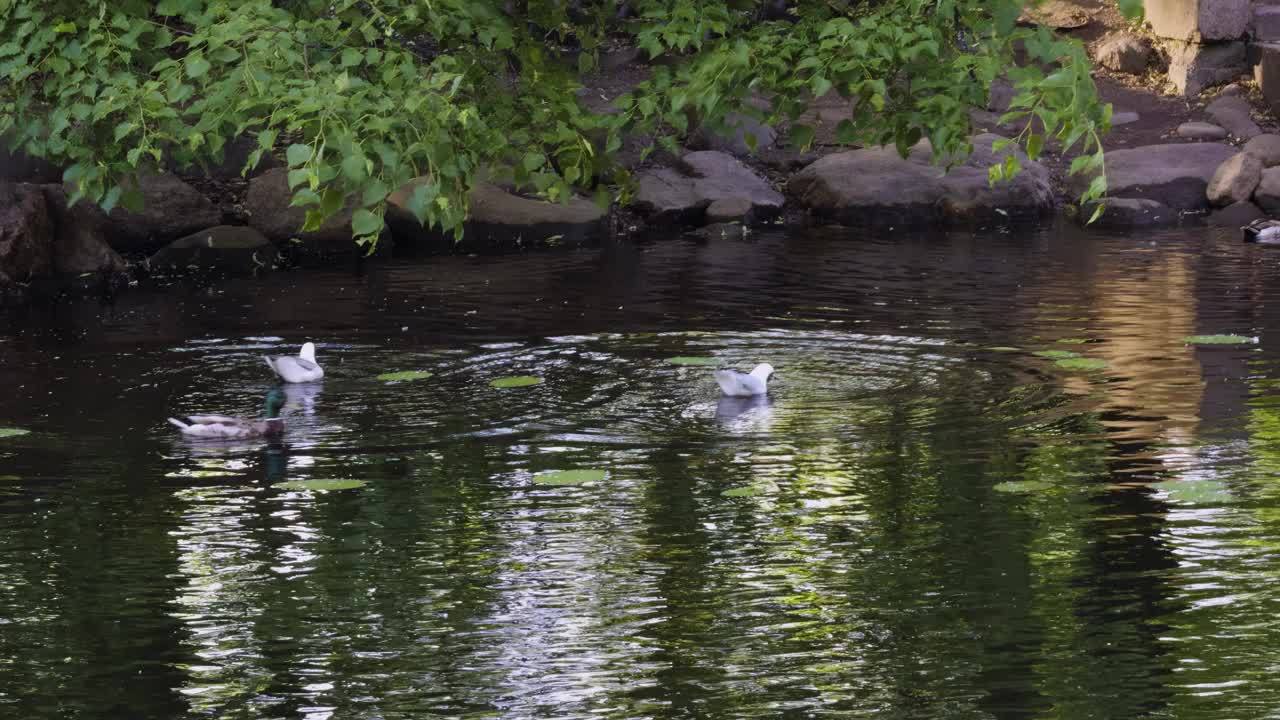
x=1176, y=175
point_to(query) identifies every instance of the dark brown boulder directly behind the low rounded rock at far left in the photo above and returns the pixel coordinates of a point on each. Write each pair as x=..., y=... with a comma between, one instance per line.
x=171, y=209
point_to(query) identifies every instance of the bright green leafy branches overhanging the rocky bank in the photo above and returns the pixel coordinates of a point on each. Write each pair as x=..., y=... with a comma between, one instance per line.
x=360, y=97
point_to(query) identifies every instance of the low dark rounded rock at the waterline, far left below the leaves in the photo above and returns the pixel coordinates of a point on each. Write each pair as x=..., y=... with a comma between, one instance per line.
x=223, y=249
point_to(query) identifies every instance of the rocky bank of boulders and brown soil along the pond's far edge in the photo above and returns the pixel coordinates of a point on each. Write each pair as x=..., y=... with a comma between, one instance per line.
x=1173, y=158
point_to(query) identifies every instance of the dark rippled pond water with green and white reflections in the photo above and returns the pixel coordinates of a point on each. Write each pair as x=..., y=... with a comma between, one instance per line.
x=925, y=521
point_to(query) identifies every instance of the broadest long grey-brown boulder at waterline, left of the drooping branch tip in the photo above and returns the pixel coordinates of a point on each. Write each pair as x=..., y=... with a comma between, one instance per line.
x=879, y=188
